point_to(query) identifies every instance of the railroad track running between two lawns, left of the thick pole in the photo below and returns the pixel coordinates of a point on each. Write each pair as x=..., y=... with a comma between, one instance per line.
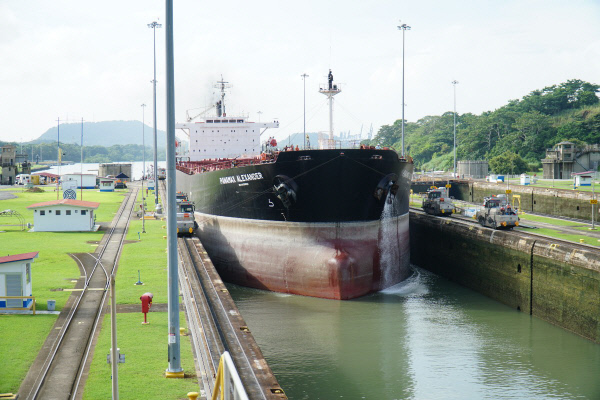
x=61, y=373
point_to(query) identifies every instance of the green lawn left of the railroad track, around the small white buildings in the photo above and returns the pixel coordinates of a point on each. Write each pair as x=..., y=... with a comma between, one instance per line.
x=23, y=335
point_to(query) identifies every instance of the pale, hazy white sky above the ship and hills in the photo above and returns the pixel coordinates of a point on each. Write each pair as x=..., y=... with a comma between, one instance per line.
x=94, y=60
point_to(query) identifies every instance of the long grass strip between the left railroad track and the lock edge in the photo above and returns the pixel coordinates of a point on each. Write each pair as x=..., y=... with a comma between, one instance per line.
x=145, y=346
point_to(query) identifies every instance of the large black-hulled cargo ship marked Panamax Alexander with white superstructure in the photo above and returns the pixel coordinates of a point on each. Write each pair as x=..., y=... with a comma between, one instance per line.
x=328, y=222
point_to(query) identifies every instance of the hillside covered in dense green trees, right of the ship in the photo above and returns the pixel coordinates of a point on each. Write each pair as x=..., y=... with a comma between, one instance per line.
x=521, y=130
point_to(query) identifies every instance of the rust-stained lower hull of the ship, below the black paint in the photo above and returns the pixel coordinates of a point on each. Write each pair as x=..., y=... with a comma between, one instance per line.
x=329, y=260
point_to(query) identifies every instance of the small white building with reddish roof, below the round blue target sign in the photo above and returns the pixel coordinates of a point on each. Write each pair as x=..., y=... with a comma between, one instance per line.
x=64, y=215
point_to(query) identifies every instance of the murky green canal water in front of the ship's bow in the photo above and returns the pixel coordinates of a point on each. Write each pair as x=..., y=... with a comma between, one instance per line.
x=426, y=338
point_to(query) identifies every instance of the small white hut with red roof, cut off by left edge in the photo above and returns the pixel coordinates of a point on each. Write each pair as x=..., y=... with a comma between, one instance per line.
x=15, y=280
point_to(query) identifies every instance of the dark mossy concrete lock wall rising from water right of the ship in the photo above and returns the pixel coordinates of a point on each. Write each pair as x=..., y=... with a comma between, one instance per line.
x=559, y=283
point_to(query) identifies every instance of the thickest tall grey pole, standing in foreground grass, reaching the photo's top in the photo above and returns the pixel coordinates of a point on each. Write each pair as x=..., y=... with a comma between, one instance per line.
x=174, y=352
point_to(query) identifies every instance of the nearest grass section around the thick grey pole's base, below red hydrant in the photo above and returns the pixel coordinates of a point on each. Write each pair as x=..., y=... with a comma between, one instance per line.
x=142, y=376
